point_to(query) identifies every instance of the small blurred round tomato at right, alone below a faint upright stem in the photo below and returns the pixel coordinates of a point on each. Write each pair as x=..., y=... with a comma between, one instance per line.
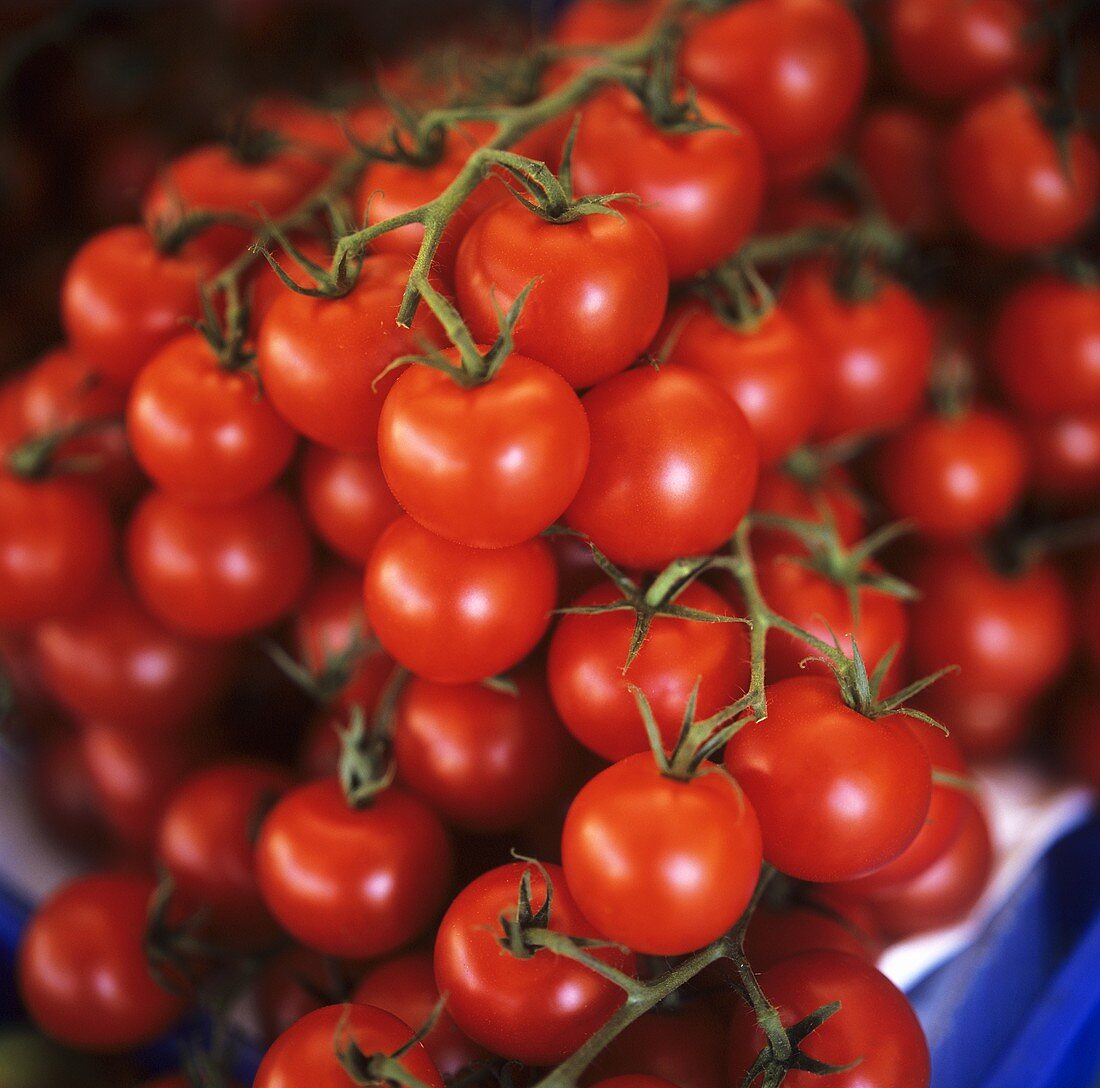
x=954, y=477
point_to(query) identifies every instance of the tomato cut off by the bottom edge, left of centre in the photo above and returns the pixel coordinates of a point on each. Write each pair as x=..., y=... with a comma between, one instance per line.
x=309, y=1051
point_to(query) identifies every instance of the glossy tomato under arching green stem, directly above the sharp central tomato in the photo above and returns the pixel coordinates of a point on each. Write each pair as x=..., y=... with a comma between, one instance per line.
x=606, y=270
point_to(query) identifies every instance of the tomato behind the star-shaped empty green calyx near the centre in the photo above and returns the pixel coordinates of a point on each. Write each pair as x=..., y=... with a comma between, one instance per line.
x=593, y=696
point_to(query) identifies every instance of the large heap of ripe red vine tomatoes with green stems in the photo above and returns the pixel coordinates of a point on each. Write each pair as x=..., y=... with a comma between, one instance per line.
x=508, y=580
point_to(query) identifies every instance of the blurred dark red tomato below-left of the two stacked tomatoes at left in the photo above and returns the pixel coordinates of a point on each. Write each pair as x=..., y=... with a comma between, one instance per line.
x=114, y=661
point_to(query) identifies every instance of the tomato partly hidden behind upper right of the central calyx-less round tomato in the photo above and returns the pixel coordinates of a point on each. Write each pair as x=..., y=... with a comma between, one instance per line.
x=771, y=372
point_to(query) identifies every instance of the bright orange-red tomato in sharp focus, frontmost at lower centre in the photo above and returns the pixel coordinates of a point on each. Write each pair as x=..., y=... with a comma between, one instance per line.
x=657, y=864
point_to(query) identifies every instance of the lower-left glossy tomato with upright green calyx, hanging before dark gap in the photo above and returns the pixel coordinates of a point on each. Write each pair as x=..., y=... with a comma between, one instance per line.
x=353, y=883
